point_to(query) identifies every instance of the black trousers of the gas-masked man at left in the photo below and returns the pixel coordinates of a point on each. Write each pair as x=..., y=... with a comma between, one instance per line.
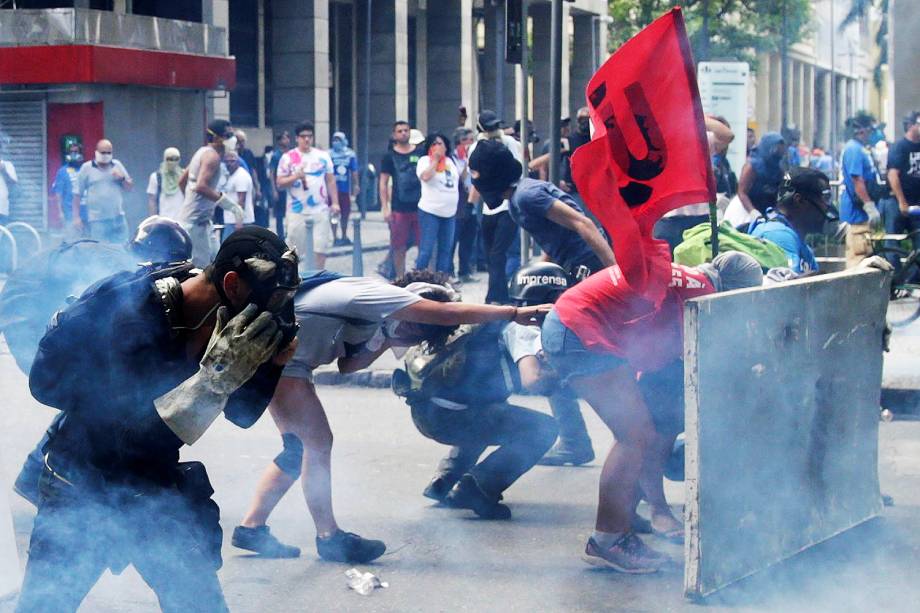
x=171, y=539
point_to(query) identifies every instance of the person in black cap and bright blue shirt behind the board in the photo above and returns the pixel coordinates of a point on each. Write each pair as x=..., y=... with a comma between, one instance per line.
x=804, y=206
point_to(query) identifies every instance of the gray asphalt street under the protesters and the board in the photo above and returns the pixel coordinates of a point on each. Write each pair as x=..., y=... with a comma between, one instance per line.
x=446, y=560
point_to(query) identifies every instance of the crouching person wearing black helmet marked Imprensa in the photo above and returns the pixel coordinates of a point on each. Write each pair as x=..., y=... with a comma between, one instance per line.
x=457, y=384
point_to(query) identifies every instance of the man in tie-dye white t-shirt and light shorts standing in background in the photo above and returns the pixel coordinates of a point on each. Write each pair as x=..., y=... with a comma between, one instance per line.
x=308, y=176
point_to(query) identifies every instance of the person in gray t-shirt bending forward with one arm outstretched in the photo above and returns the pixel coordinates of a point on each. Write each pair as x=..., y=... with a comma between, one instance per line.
x=350, y=321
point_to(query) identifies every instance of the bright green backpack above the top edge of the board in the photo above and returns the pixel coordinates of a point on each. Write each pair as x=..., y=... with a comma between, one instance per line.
x=697, y=246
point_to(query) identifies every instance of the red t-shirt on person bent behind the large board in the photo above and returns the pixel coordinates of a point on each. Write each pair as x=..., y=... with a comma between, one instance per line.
x=608, y=315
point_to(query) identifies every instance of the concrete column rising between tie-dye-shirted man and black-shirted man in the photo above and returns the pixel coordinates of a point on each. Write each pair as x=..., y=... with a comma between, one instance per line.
x=389, y=85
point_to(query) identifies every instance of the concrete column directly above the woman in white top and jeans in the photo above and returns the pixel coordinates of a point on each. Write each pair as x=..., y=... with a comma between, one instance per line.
x=450, y=63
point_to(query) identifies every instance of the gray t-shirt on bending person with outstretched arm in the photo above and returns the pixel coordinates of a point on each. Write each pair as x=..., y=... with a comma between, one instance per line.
x=347, y=311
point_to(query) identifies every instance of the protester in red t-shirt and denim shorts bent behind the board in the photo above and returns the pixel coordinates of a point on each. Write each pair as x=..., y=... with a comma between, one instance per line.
x=599, y=337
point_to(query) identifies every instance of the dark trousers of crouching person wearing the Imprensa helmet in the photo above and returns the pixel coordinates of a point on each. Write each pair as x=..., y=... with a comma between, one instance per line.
x=522, y=436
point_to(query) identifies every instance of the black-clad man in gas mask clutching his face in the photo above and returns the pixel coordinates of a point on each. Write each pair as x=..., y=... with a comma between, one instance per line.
x=143, y=363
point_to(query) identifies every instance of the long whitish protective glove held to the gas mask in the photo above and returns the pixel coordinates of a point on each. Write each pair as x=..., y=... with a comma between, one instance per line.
x=236, y=350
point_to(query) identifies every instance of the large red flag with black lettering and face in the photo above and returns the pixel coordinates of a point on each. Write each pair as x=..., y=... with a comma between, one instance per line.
x=649, y=154
